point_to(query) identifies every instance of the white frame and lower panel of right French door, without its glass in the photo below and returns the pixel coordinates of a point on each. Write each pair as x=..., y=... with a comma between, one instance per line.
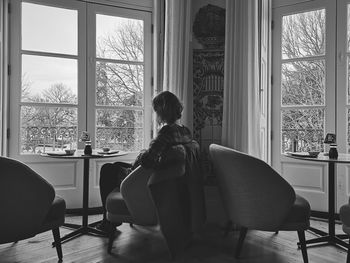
x=315, y=187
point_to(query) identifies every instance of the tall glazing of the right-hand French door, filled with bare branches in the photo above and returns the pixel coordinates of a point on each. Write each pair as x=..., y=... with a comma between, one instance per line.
x=303, y=86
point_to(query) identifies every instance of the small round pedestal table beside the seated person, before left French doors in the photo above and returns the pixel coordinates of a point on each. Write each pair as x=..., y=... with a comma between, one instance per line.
x=85, y=228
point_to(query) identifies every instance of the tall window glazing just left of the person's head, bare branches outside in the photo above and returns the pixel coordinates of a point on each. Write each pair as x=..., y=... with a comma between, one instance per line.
x=119, y=78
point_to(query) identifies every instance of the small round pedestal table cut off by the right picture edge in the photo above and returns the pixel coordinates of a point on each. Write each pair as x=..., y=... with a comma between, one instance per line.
x=330, y=237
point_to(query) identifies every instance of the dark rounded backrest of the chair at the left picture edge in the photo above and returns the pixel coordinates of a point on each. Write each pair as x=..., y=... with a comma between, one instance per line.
x=25, y=199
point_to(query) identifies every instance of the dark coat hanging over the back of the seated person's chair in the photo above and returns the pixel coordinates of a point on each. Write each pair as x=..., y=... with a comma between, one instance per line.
x=173, y=195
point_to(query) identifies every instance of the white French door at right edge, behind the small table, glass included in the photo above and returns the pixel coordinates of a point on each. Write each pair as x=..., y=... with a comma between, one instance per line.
x=310, y=93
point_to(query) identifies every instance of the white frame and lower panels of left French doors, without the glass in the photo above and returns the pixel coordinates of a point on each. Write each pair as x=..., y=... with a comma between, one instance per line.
x=66, y=175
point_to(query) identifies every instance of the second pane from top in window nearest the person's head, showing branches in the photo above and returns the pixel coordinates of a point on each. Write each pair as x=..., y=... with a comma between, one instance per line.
x=119, y=84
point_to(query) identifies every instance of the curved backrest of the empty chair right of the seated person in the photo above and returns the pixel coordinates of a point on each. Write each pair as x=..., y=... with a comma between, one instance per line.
x=254, y=195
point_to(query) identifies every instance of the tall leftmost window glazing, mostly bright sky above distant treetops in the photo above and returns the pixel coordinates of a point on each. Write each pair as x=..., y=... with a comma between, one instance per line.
x=49, y=78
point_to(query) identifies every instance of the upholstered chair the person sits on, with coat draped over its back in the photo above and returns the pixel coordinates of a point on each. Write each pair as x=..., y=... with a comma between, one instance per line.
x=171, y=197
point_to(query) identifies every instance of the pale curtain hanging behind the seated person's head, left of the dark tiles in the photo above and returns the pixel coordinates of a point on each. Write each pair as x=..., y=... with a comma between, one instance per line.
x=176, y=51
